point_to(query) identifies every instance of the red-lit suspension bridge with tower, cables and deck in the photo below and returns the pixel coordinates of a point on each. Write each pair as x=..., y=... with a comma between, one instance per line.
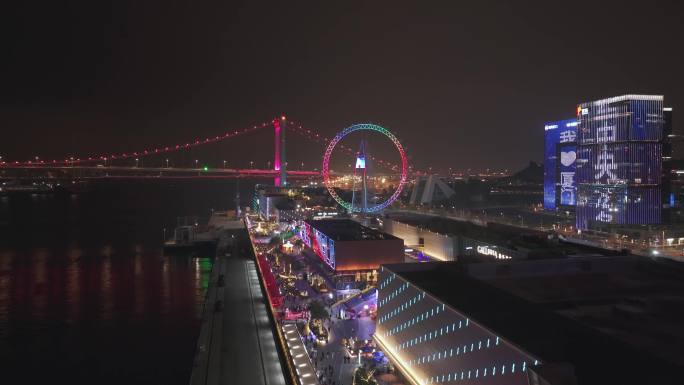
x=120, y=165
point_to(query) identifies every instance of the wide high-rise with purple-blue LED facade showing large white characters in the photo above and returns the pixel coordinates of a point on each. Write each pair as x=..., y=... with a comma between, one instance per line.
x=620, y=161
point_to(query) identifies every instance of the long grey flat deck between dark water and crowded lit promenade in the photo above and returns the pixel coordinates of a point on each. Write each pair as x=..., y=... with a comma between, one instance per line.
x=237, y=344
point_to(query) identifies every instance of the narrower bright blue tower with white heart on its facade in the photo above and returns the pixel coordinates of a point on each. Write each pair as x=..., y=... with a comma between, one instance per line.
x=560, y=154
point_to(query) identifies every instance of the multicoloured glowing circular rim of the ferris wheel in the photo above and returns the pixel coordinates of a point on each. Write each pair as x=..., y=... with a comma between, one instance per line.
x=331, y=148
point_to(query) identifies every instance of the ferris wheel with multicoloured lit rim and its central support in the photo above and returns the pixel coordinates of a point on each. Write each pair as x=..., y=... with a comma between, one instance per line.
x=361, y=168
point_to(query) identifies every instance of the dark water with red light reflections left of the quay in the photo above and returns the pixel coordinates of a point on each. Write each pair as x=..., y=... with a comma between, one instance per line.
x=86, y=295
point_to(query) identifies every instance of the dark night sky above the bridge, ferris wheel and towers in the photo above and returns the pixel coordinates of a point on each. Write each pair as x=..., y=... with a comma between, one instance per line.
x=462, y=84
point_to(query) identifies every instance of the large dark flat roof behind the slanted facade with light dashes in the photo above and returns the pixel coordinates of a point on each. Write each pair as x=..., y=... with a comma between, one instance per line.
x=615, y=319
